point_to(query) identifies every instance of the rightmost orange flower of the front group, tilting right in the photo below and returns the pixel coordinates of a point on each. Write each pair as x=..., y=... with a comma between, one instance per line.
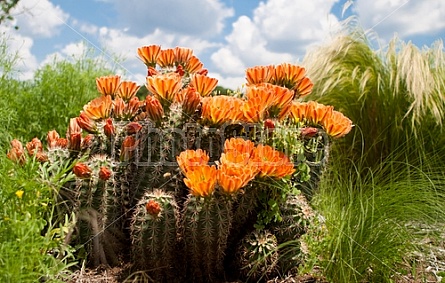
x=272, y=163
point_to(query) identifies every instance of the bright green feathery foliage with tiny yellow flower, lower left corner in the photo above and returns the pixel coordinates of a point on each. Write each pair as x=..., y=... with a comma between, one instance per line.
x=31, y=245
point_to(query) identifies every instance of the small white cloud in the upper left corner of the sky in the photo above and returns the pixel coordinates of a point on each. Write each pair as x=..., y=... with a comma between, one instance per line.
x=39, y=18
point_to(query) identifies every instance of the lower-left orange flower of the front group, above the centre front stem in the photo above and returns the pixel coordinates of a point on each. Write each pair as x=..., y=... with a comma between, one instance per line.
x=201, y=180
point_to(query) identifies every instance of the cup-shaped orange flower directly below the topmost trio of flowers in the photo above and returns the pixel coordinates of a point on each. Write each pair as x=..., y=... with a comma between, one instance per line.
x=165, y=86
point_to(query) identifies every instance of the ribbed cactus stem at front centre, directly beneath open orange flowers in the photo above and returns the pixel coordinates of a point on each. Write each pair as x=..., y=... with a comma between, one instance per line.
x=206, y=225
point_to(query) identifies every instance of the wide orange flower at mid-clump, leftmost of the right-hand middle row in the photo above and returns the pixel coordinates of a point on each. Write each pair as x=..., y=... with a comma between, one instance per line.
x=221, y=109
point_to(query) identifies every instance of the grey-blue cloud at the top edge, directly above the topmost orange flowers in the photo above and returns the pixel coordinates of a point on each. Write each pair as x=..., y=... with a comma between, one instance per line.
x=191, y=17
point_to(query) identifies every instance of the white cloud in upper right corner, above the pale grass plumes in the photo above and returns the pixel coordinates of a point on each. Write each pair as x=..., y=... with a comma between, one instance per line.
x=404, y=17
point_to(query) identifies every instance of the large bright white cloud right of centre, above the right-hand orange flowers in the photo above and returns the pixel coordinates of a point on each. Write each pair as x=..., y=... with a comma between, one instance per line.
x=279, y=31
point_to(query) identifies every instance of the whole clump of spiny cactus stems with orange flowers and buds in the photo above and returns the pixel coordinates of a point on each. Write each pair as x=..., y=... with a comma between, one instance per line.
x=187, y=184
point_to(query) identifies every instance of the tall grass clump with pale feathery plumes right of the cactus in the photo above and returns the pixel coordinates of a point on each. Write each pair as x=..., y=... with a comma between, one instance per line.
x=390, y=96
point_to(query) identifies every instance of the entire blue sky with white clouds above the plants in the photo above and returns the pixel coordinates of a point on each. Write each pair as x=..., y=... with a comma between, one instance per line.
x=227, y=35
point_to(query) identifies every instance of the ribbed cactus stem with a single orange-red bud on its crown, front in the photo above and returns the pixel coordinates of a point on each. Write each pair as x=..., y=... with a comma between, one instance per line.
x=154, y=229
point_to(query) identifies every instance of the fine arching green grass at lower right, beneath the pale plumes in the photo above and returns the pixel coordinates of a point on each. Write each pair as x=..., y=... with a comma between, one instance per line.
x=370, y=222
